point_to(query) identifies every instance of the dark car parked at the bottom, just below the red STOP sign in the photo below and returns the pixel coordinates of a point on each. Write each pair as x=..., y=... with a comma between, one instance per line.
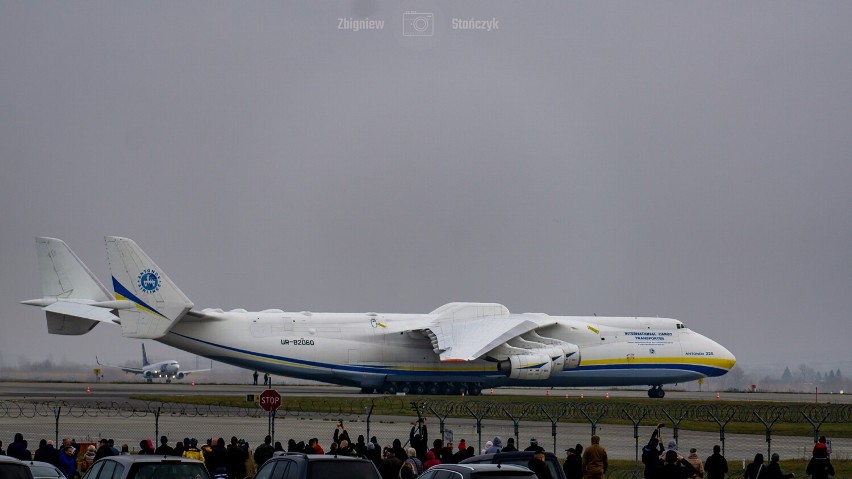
x=316, y=466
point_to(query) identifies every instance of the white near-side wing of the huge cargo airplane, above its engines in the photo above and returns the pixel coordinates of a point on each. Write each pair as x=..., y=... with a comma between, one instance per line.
x=467, y=331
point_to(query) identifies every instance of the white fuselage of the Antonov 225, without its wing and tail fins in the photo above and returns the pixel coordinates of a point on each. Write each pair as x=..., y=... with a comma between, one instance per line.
x=374, y=350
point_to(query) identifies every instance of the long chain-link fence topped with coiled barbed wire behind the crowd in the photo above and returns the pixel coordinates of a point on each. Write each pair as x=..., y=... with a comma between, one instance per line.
x=624, y=427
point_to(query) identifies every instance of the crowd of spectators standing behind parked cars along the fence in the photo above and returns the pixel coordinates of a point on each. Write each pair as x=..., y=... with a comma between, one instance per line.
x=237, y=460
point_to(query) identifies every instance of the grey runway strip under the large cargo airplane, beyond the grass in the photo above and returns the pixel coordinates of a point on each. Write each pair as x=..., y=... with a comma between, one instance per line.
x=118, y=391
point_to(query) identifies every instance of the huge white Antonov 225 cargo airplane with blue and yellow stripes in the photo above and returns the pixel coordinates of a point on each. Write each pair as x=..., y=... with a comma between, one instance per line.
x=459, y=347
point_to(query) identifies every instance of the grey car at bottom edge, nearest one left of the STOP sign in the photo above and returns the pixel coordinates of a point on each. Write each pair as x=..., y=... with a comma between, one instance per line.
x=147, y=467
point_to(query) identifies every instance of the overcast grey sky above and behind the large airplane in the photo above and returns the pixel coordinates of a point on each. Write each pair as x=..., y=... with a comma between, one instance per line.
x=681, y=159
